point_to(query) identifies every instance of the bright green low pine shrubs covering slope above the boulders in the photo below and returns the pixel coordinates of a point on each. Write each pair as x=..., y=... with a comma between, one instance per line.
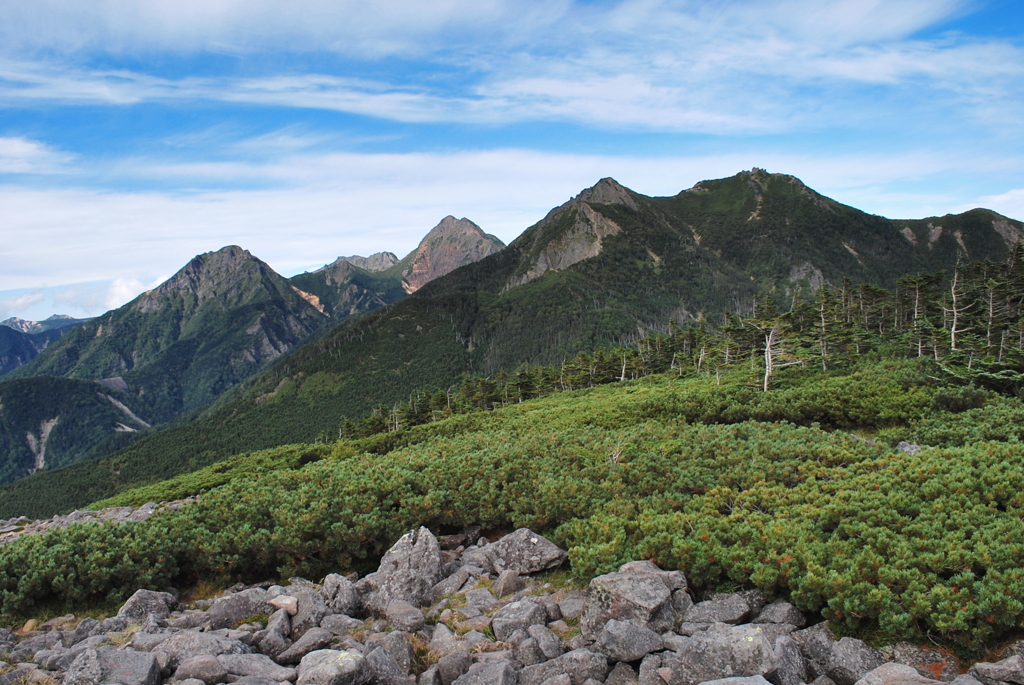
x=735, y=487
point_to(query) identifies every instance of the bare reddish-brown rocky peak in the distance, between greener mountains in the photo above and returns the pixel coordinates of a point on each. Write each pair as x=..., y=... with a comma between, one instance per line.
x=451, y=244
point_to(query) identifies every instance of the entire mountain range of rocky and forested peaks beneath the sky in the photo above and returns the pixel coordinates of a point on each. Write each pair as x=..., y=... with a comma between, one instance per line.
x=290, y=360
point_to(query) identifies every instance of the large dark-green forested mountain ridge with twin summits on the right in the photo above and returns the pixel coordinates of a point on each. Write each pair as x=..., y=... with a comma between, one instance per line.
x=641, y=263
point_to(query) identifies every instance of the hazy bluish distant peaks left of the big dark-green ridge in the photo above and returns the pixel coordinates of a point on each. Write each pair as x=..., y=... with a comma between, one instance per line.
x=222, y=319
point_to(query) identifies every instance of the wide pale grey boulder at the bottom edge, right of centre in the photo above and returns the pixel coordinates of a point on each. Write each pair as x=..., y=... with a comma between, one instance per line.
x=721, y=652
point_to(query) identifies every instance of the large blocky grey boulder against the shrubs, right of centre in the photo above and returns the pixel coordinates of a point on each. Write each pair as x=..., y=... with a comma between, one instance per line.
x=641, y=598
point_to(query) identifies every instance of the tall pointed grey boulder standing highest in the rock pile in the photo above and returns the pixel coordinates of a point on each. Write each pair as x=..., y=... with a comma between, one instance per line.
x=409, y=571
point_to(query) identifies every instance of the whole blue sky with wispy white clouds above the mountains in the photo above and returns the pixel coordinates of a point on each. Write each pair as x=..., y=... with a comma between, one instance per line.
x=136, y=135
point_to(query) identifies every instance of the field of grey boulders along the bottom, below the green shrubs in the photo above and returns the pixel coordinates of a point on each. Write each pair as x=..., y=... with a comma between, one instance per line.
x=467, y=612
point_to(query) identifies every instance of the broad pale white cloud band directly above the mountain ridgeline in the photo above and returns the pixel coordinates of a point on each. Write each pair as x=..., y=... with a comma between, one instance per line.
x=319, y=206
